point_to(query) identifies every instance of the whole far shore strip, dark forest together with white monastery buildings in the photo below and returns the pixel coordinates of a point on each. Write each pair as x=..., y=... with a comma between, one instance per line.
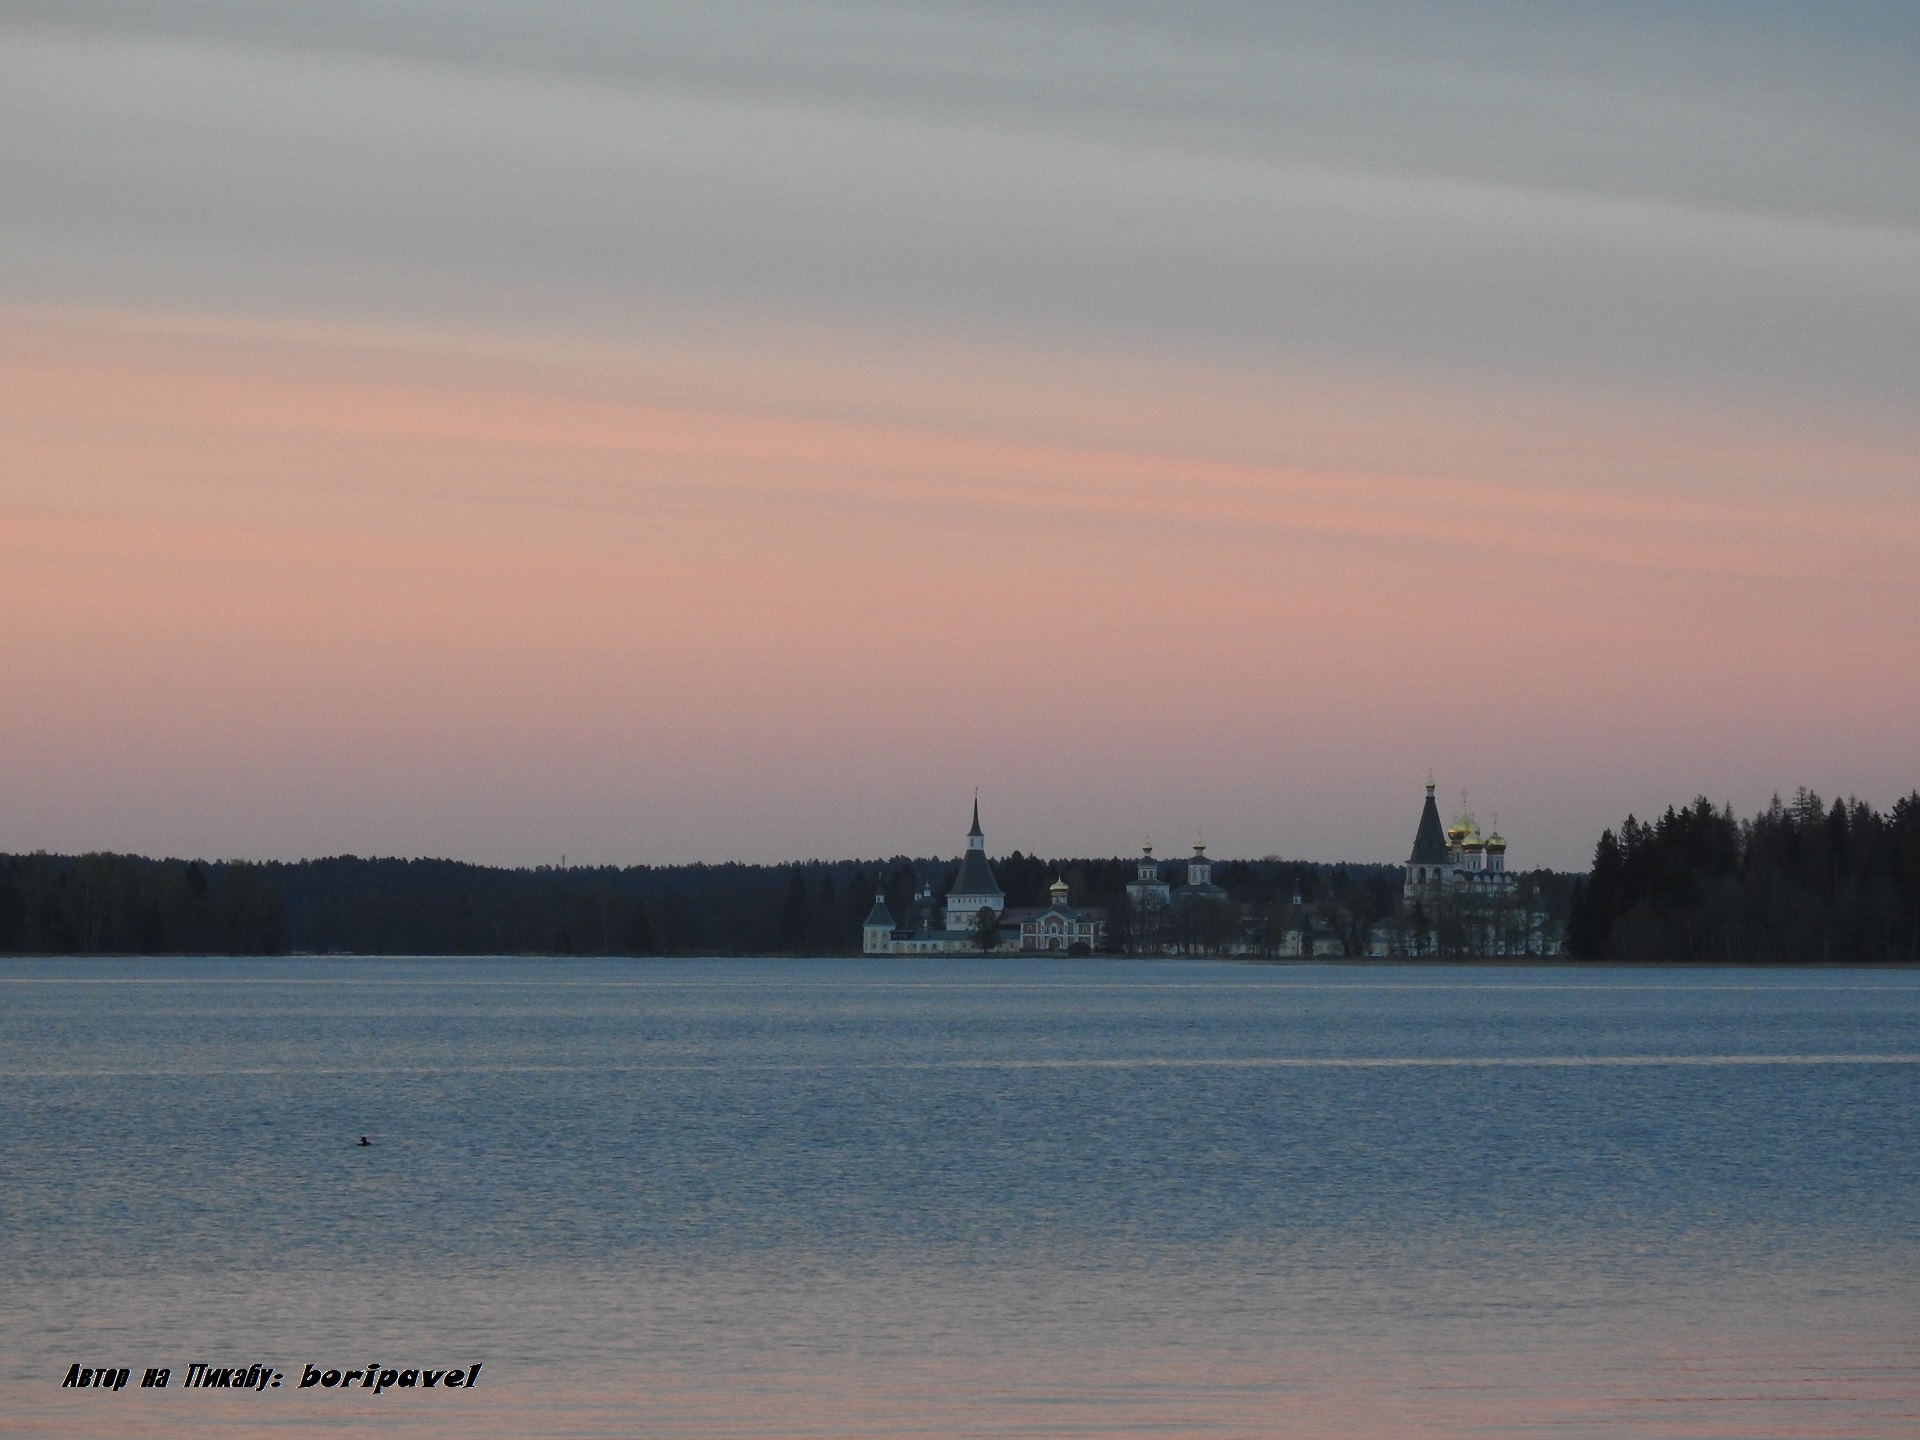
x=1800, y=882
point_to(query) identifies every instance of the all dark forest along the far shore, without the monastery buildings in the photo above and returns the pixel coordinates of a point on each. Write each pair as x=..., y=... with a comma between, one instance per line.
x=1804, y=882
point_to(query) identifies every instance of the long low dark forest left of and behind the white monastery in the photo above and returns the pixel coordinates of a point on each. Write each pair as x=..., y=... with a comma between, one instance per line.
x=347, y=905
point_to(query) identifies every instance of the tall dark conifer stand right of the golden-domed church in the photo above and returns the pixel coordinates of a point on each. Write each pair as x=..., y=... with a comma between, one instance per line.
x=1798, y=884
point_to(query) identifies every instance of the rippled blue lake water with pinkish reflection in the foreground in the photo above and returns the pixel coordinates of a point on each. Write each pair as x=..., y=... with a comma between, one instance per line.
x=963, y=1199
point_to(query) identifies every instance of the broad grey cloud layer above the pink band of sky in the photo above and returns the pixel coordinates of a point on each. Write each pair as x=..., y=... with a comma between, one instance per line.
x=1234, y=183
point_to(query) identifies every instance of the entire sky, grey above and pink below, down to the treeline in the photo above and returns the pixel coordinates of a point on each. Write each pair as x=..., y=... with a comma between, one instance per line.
x=663, y=433
